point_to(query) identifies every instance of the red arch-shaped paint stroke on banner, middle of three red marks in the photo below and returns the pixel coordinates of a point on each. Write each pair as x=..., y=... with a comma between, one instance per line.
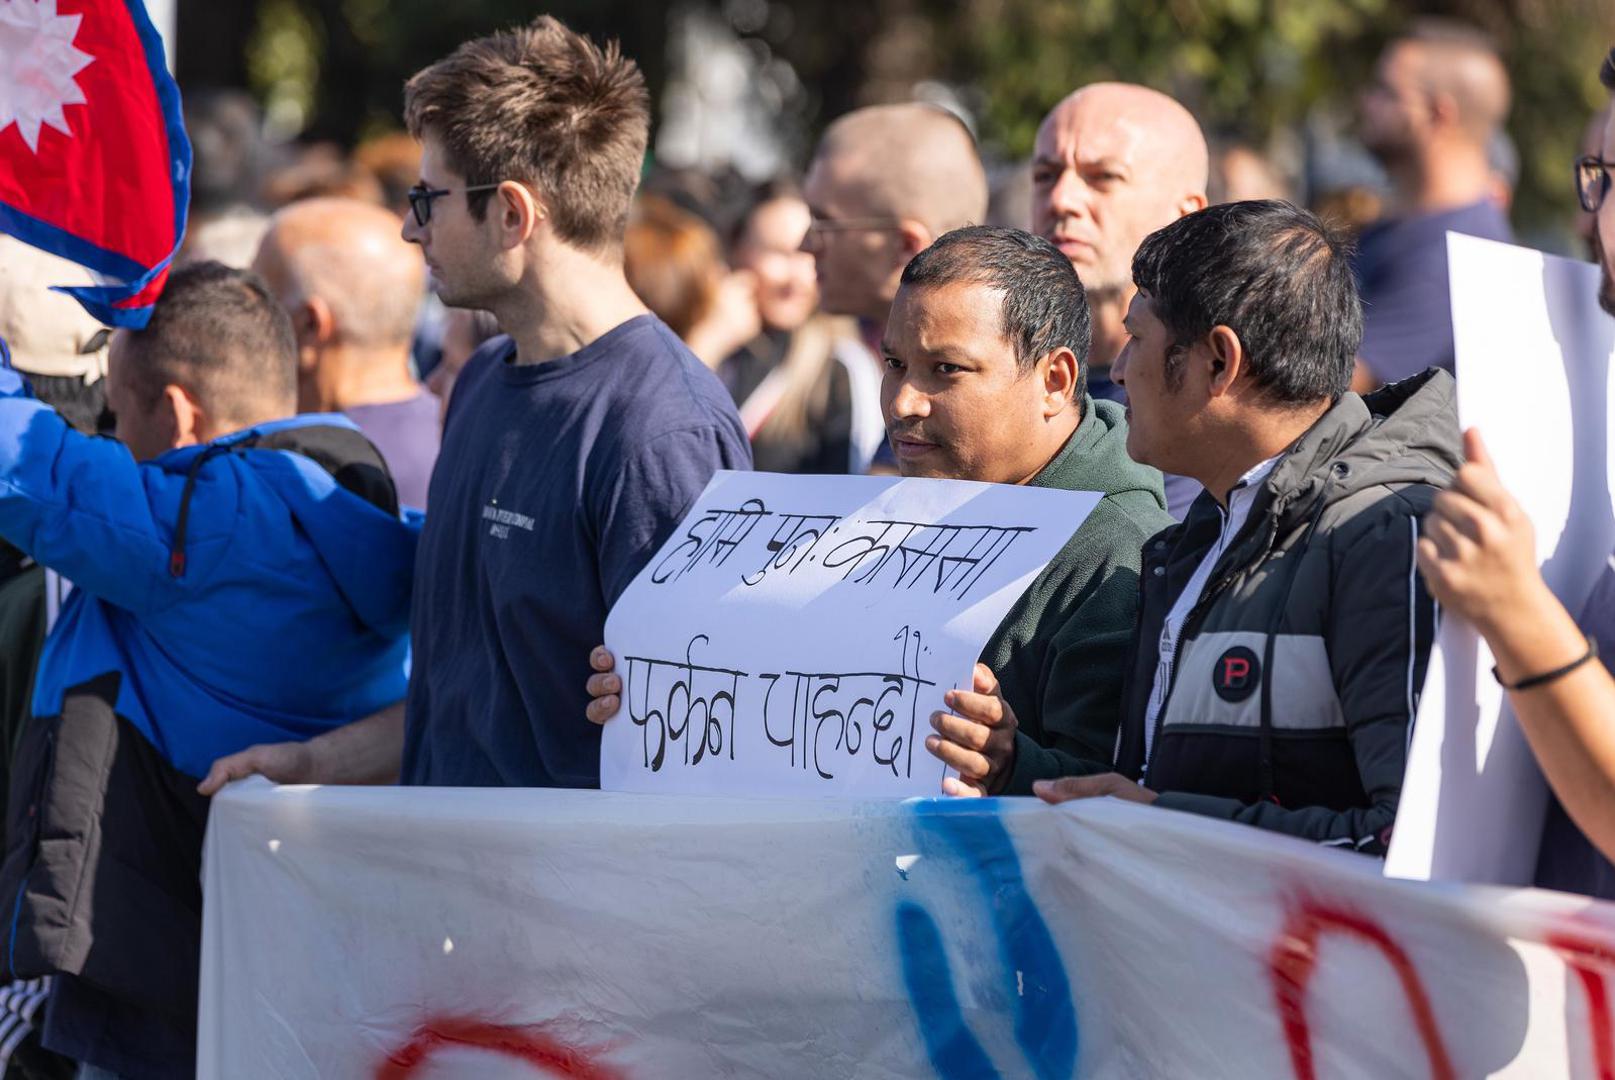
x=1294, y=960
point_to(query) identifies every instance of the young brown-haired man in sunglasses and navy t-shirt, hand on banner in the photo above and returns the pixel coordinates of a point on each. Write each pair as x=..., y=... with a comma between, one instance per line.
x=573, y=446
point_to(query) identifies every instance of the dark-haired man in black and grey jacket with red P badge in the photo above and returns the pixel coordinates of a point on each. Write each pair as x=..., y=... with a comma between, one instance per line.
x=1283, y=629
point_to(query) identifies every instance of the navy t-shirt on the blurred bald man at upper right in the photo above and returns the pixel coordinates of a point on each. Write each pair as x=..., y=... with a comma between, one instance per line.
x=1403, y=277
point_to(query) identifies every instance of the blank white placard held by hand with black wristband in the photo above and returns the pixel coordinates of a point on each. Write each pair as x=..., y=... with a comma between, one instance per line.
x=1533, y=361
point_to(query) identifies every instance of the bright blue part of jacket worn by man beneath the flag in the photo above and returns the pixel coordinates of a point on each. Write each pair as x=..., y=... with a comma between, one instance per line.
x=290, y=617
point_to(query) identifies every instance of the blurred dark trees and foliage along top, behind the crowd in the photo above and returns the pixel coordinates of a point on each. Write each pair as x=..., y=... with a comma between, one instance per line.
x=1264, y=72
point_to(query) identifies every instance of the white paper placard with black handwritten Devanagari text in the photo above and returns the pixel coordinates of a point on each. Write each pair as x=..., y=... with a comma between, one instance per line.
x=795, y=634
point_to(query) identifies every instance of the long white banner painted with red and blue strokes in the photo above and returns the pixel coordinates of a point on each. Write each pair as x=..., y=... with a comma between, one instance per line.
x=400, y=934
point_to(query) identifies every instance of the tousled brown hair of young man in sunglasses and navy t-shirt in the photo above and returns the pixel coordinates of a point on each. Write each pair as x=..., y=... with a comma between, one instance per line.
x=547, y=106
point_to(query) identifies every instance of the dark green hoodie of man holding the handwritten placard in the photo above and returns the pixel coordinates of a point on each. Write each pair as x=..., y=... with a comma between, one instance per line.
x=1062, y=650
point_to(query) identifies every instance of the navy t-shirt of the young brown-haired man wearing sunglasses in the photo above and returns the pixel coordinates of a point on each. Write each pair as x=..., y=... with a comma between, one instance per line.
x=556, y=485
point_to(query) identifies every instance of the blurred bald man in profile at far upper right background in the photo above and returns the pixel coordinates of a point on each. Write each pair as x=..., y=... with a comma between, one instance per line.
x=1437, y=104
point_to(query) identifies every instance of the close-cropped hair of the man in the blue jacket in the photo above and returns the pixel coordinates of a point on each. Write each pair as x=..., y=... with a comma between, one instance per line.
x=224, y=337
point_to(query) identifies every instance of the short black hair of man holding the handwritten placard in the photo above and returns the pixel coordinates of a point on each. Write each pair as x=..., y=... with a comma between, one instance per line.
x=1044, y=306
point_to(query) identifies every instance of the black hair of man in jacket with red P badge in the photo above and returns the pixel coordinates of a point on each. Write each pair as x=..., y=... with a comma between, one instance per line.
x=1277, y=277
